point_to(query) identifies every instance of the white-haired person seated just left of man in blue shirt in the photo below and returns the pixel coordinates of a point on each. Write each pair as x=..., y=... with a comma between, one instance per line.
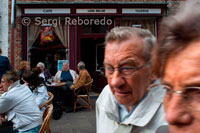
x=45, y=74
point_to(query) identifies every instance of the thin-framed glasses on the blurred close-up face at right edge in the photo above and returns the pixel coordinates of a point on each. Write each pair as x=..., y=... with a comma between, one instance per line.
x=189, y=95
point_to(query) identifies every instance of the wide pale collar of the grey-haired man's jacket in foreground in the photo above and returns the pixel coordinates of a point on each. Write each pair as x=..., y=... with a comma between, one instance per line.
x=143, y=113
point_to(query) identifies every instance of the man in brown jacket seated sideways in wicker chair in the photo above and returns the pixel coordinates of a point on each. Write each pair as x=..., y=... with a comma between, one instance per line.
x=84, y=76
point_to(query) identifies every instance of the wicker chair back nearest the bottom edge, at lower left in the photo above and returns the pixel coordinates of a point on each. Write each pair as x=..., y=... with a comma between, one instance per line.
x=46, y=119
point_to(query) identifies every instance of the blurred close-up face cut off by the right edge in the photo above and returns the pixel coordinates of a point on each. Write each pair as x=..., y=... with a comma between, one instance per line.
x=183, y=71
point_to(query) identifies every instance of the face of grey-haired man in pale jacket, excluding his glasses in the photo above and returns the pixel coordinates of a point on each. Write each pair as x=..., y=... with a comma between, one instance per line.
x=128, y=91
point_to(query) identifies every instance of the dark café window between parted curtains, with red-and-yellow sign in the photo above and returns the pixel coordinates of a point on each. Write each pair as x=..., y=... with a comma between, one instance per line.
x=47, y=48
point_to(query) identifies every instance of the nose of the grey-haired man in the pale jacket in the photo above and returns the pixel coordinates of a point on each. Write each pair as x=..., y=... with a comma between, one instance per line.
x=117, y=80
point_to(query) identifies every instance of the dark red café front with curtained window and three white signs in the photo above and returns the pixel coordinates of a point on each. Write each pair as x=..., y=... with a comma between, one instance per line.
x=52, y=30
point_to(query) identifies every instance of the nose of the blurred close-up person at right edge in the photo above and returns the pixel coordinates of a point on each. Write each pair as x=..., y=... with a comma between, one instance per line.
x=176, y=112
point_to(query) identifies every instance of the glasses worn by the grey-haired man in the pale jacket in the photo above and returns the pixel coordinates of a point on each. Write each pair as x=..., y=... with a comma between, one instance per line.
x=126, y=72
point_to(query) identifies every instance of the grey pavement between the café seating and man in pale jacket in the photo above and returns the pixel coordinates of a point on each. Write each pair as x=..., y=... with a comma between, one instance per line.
x=82, y=121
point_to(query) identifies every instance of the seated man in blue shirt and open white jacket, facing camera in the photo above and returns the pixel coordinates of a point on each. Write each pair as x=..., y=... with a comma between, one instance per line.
x=69, y=76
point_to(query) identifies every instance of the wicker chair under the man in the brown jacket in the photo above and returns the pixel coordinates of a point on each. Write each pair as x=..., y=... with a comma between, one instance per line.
x=84, y=98
